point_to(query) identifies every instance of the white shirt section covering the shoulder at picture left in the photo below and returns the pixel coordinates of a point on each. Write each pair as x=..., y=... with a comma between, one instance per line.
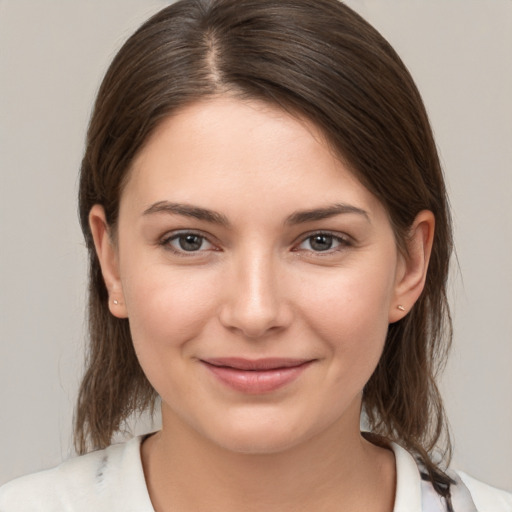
x=97, y=481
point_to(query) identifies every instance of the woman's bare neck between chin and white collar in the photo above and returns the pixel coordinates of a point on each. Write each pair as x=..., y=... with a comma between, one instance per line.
x=336, y=467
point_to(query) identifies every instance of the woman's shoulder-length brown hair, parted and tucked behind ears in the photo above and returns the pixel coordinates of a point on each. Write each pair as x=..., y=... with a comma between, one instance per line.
x=317, y=59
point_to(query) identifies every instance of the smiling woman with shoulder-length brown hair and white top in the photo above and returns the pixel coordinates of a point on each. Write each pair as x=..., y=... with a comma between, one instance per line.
x=269, y=241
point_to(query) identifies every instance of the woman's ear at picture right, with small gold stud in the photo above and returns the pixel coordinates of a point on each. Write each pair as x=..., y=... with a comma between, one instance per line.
x=413, y=266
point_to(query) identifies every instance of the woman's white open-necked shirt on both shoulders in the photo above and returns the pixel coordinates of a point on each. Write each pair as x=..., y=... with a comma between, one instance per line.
x=112, y=480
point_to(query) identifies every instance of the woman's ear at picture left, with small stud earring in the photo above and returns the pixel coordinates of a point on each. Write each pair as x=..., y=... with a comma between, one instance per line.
x=108, y=257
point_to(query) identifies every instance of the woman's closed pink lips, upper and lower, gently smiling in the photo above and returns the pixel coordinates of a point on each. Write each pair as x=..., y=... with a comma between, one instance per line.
x=256, y=376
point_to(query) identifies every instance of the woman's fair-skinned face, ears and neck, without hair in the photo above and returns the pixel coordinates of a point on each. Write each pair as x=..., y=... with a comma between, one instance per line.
x=214, y=258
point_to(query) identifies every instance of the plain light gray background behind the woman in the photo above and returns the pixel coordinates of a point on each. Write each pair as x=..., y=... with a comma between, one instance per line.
x=53, y=54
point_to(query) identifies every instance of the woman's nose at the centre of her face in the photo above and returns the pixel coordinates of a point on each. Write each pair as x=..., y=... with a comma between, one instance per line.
x=255, y=304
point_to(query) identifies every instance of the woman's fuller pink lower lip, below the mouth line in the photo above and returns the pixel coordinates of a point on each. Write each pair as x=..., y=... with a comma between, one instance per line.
x=257, y=381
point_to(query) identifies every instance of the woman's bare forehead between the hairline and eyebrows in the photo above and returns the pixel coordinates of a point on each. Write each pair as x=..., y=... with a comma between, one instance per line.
x=228, y=150
